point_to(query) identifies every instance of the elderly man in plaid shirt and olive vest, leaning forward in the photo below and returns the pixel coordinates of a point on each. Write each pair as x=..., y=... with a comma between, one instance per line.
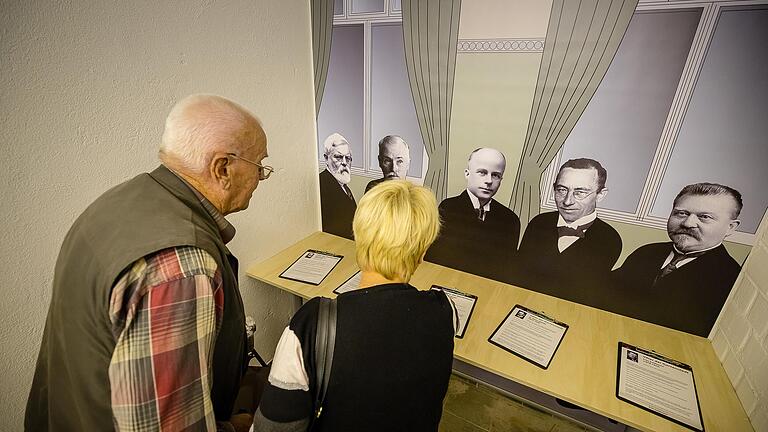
x=146, y=327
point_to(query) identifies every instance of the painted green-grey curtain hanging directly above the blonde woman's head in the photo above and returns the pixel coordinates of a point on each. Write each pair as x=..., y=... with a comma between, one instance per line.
x=430, y=34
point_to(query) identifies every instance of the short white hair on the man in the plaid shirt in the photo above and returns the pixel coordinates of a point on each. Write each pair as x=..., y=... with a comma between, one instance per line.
x=199, y=126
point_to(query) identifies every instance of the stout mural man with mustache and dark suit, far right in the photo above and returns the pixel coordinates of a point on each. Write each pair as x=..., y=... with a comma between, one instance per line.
x=683, y=284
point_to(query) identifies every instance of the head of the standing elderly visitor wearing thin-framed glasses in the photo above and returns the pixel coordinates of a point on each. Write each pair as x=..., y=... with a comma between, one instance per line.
x=217, y=146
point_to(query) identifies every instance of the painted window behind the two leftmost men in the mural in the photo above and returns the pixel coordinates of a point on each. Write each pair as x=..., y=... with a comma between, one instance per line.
x=367, y=93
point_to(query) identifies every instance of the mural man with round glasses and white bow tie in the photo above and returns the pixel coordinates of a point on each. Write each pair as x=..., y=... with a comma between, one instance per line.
x=569, y=253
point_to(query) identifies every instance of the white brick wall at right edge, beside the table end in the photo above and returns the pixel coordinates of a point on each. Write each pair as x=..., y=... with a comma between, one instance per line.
x=740, y=336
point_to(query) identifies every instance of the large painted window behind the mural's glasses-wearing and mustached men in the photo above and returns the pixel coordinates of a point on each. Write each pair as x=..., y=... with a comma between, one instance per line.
x=681, y=103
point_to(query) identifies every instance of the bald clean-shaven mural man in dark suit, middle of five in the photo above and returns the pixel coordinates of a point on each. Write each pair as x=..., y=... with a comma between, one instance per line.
x=479, y=234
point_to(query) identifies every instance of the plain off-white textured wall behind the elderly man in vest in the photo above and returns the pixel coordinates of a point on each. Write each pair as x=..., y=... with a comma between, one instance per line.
x=84, y=89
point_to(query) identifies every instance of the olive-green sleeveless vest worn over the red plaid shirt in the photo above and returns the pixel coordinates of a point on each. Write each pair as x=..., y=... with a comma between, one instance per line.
x=151, y=212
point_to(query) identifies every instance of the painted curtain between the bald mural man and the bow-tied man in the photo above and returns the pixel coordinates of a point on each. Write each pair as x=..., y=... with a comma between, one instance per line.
x=582, y=38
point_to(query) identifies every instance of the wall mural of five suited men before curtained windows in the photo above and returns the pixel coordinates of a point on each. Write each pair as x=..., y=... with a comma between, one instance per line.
x=604, y=165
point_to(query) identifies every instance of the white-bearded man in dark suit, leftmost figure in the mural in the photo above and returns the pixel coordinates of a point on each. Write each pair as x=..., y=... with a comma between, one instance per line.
x=337, y=204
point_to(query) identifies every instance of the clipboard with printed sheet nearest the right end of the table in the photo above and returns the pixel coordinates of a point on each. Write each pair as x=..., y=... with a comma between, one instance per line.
x=658, y=384
